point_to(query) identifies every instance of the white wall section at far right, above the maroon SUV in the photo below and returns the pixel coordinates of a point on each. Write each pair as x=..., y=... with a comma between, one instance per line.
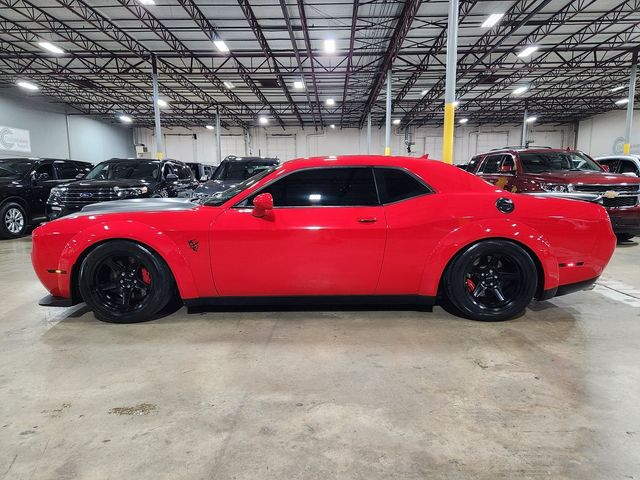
x=604, y=134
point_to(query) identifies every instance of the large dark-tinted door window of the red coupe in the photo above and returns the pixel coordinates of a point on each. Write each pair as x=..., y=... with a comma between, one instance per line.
x=324, y=187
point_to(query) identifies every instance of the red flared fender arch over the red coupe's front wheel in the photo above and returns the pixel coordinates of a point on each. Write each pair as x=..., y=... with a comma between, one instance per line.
x=139, y=232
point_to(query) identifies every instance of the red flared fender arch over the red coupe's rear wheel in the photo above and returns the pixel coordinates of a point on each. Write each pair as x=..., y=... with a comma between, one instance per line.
x=471, y=233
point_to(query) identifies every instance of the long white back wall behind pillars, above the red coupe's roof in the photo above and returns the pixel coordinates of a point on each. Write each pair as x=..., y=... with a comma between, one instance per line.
x=291, y=143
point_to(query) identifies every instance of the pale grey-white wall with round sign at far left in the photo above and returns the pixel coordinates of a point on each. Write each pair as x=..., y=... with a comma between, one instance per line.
x=56, y=134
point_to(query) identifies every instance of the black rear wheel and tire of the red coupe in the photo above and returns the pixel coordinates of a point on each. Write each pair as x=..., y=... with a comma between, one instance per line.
x=492, y=280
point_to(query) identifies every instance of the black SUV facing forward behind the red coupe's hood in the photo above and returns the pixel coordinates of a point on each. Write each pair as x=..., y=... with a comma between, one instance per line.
x=121, y=178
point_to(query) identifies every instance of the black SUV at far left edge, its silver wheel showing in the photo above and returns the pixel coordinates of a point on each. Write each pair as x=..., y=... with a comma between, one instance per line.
x=25, y=184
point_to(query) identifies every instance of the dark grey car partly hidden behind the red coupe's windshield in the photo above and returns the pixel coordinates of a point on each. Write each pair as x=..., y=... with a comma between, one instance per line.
x=233, y=170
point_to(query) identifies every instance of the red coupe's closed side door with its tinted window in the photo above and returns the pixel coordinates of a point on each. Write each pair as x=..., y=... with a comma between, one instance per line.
x=324, y=236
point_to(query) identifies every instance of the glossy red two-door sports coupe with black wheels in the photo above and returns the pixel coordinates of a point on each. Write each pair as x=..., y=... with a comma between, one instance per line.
x=348, y=229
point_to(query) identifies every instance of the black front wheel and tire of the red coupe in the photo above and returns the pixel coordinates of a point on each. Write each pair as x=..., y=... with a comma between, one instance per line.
x=125, y=282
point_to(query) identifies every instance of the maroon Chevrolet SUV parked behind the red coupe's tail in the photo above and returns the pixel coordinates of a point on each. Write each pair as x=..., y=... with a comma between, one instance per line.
x=529, y=170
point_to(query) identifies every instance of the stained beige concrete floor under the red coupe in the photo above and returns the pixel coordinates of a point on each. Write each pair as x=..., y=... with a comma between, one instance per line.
x=321, y=395
